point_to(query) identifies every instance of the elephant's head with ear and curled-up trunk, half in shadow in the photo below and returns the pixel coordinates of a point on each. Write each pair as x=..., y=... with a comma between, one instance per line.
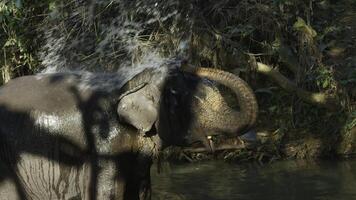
x=183, y=105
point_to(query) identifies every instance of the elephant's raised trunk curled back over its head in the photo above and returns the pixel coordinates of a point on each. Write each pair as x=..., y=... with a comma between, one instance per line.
x=229, y=120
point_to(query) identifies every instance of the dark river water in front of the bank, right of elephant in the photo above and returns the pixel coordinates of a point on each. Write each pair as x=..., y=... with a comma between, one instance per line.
x=285, y=180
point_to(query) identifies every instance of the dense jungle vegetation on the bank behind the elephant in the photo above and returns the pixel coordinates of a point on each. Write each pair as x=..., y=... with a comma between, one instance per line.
x=299, y=56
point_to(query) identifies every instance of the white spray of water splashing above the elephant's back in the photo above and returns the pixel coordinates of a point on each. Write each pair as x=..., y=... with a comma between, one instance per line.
x=108, y=36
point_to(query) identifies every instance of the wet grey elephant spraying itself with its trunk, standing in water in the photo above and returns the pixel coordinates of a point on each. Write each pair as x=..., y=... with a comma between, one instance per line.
x=74, y=135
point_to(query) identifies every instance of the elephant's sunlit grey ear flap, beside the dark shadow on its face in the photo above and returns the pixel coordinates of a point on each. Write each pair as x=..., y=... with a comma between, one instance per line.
x=139, y=108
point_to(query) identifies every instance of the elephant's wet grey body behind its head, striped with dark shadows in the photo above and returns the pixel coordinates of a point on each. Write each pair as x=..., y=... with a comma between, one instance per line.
x=59, y=140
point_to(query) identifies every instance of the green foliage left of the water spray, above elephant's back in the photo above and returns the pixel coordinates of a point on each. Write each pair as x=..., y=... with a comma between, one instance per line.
x=19, y=36
